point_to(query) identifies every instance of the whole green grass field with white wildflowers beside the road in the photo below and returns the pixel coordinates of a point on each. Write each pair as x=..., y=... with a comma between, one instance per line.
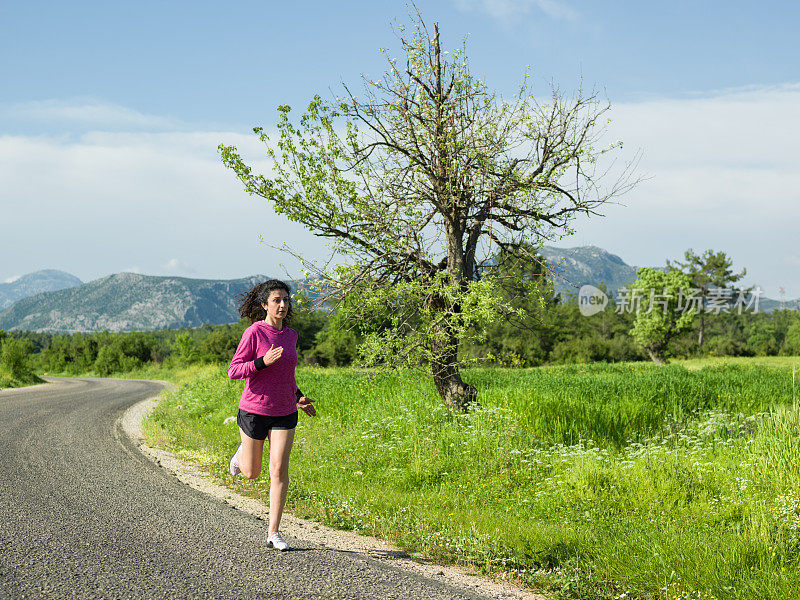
x=590, y=481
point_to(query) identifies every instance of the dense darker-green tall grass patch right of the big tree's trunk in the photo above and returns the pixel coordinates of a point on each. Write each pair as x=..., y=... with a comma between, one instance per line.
x=613, y=404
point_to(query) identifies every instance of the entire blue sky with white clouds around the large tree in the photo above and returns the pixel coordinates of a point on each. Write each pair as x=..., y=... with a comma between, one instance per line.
x=110, y=114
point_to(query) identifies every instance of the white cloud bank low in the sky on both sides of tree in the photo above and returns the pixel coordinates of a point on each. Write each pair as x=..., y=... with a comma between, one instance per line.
x=723, y=169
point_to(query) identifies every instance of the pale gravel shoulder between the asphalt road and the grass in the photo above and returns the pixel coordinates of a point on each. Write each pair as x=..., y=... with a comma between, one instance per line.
x=130, y=423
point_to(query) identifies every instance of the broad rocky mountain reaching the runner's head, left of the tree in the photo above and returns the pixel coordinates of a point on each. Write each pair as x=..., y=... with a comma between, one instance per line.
x=129, y=302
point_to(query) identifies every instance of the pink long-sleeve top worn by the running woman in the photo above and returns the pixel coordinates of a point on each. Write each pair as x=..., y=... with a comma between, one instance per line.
x=268, y=390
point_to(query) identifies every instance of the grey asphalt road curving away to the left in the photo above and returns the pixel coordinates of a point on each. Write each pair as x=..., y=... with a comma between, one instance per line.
x=83, y=514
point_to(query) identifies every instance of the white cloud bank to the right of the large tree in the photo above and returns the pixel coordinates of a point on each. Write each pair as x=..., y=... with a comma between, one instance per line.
x=724, y=176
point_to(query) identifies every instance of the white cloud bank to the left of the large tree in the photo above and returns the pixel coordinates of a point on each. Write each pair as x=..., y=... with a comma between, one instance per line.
x=97, y=203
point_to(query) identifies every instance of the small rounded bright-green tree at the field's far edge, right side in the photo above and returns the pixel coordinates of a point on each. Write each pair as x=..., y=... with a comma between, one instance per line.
x=658, y=317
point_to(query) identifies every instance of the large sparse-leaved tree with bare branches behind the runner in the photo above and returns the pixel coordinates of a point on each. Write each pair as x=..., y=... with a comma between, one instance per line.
x=419, y=182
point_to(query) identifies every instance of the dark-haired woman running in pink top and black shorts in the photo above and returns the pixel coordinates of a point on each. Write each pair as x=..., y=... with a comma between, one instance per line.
x=266, y=359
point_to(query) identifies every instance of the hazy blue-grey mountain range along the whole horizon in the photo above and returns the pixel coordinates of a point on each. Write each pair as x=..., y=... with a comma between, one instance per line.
x=134, y=302
